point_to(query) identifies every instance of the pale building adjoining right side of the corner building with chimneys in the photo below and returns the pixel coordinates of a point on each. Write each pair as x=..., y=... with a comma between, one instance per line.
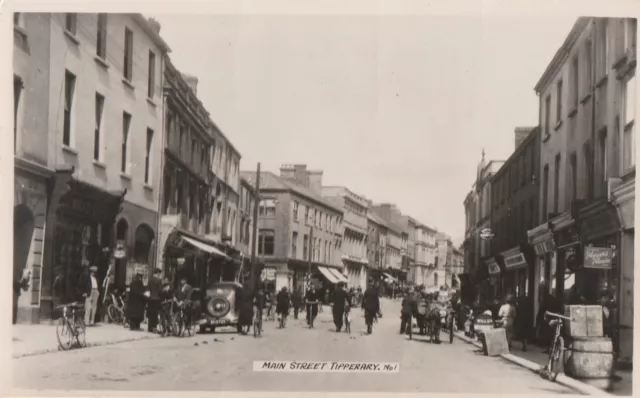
x=354, y=232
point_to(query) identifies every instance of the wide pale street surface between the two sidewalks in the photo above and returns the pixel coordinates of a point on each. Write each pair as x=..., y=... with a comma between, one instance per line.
x=224, y=362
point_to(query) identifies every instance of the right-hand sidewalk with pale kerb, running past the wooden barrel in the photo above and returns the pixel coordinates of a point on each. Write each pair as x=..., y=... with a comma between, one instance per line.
x=534, y=358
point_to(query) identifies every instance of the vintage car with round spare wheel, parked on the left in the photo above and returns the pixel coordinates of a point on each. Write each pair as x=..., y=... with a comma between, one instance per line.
x=220, y=307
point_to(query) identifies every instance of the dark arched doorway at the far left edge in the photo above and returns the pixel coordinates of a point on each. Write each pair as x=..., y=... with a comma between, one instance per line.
x=23, y=227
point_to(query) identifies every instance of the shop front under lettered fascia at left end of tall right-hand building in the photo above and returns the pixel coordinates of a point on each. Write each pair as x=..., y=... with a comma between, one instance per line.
x=541, y=239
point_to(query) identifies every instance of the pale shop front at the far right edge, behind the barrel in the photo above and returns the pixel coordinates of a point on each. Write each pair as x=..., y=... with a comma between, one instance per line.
x=624, y=201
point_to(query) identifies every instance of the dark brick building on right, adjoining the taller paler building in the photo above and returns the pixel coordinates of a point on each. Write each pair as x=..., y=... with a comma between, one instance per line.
x=514, y=203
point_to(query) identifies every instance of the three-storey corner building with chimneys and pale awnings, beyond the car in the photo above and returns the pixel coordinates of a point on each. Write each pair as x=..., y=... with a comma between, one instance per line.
x=299, y=232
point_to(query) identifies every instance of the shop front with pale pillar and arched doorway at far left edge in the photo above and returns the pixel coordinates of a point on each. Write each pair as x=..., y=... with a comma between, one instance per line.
x=29, y=219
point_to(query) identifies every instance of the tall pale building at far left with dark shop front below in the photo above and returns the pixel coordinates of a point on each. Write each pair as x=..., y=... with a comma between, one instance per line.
x=109, y=67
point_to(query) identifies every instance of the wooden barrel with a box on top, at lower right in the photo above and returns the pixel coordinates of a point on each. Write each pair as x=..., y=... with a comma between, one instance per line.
x=590, y=360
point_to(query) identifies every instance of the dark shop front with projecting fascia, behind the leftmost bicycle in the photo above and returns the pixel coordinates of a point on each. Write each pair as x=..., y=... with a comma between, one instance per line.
x=79, y=233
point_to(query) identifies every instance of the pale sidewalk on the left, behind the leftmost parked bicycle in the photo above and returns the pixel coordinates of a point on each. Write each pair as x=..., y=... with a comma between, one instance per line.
x=41, y=339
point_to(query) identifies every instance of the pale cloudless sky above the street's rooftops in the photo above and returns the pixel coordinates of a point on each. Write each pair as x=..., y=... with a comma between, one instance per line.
x=396, y=108
